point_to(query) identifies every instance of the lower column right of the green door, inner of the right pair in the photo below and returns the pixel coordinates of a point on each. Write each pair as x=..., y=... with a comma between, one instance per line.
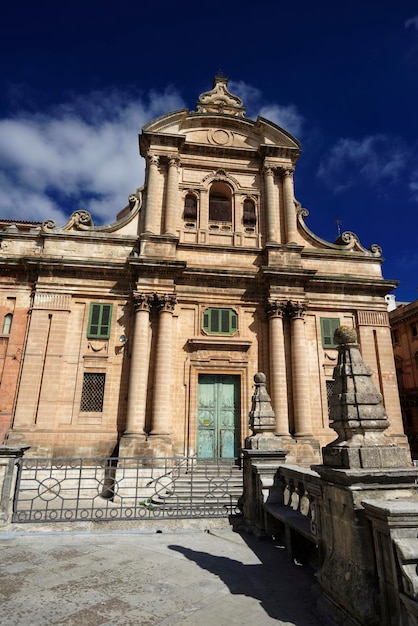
x=278, y=383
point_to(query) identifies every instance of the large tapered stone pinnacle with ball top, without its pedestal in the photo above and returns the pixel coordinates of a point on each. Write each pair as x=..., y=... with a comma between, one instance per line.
x=357, y=413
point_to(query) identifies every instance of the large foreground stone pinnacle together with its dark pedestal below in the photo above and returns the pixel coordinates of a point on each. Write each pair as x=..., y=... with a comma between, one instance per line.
x=361, y=464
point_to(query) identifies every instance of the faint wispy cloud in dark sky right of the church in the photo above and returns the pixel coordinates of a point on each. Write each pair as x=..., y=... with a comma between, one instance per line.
x=368, y=160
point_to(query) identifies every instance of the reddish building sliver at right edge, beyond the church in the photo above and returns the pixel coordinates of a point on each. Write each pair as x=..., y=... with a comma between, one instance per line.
x=404, y=325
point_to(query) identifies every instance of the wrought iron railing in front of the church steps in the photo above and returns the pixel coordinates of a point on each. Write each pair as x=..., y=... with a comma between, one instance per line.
x=64, y=490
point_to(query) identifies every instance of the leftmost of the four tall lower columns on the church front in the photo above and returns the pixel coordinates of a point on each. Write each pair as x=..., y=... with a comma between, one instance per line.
x=138, y=375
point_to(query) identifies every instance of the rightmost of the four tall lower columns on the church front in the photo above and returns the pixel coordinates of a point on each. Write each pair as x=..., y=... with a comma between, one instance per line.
x=300, y=371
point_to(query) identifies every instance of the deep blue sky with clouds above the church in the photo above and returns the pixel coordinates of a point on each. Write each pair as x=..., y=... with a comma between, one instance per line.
x=79, y=79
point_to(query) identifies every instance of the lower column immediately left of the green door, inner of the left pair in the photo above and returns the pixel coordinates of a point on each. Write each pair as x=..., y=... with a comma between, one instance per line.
x=161, y=415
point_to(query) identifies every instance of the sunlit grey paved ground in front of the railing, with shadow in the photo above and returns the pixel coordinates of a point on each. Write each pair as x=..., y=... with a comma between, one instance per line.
x=195, y=578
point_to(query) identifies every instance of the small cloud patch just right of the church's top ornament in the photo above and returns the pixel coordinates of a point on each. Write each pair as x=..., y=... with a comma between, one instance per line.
x=286, y=116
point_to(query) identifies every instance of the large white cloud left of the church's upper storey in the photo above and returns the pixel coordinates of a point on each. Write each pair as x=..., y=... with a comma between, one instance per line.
x=81, y=154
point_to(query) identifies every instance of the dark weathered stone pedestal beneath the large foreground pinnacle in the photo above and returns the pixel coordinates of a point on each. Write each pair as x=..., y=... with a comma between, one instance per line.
x=348, y=577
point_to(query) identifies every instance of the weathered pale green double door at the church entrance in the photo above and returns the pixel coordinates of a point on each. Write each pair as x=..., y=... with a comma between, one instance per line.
x=218, y=416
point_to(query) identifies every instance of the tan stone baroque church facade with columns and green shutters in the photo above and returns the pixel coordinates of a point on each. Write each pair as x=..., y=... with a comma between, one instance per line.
x=142, y=337
